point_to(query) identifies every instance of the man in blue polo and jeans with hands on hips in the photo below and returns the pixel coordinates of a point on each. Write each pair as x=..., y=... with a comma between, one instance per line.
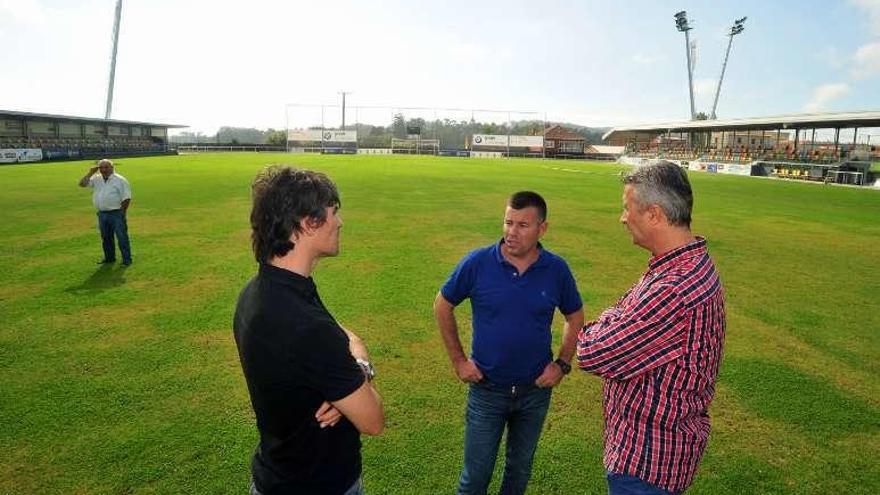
x=514, y=286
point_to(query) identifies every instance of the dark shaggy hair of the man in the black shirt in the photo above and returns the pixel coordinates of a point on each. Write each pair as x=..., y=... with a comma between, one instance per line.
x=283, y=196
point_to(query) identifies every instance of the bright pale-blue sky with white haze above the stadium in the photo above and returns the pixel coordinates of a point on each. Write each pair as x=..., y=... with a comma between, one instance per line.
x=212, y=63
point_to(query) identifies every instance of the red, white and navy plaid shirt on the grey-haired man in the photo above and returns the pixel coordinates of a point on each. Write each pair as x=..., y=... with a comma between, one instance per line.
x=658, y=350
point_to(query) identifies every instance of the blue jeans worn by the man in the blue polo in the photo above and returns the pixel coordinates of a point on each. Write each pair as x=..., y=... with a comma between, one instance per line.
x=490, y=408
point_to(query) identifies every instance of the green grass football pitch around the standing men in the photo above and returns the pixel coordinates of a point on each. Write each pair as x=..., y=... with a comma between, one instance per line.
x=127, y=381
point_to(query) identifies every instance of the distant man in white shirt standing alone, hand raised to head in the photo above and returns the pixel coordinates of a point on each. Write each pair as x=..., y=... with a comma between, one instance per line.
x=111, y=195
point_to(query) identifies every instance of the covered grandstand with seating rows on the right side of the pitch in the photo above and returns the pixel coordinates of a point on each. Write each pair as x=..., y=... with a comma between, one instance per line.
x=787, y=146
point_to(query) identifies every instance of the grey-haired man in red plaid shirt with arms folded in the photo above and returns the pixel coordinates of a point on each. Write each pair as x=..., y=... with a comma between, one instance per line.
x=658, y=349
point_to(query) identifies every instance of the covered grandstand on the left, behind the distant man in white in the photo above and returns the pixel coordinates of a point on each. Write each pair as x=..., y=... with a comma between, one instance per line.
x=26, y=137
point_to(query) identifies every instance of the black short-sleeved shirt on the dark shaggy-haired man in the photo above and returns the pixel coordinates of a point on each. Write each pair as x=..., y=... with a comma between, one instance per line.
x=295, y=356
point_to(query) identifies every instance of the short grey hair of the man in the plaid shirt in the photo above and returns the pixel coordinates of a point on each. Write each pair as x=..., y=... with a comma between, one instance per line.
x=666, y=185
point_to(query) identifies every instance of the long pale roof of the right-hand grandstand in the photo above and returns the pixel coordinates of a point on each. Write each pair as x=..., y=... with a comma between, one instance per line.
x=796, y=121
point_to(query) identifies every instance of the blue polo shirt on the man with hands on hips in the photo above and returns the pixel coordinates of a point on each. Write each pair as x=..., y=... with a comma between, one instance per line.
x=512, y=312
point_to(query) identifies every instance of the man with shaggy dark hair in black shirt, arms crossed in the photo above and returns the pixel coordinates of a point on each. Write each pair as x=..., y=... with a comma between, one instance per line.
x=309, y=378
